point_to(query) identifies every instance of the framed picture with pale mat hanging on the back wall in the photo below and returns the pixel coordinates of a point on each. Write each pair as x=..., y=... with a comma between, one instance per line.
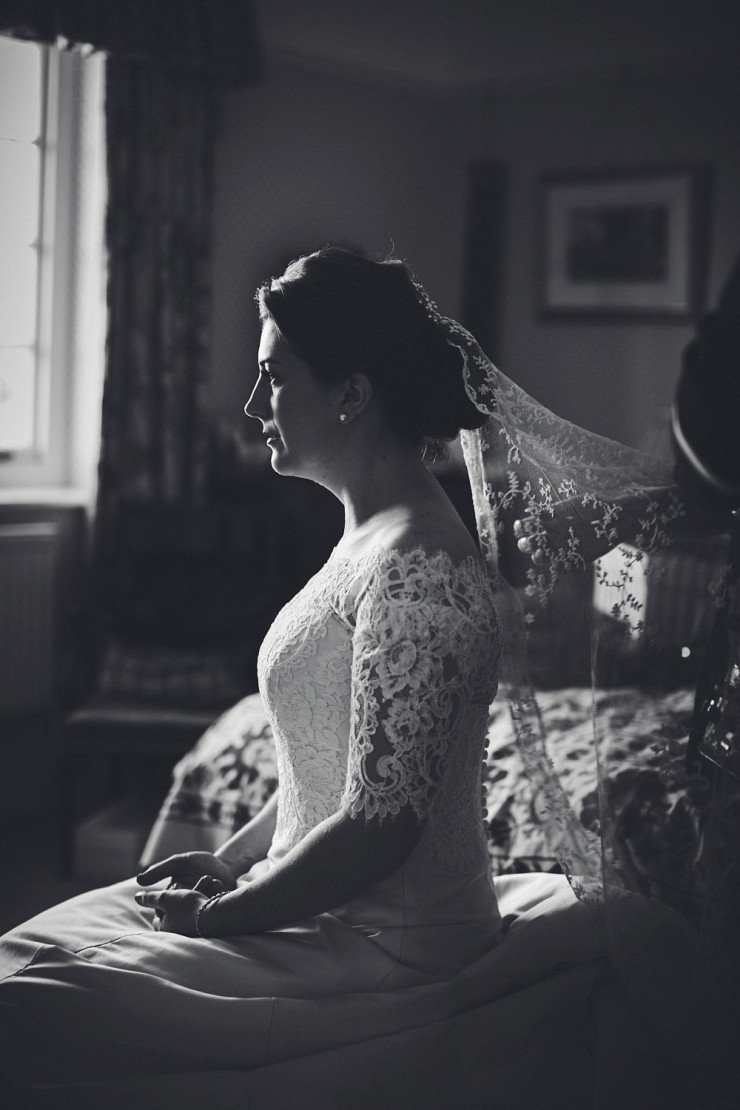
x=624, y=244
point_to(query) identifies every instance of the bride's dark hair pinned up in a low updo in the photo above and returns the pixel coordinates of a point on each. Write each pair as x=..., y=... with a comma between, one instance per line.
x=341, y=312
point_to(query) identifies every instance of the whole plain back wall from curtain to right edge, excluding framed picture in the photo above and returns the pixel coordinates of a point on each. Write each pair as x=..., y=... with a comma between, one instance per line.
x=306, y=159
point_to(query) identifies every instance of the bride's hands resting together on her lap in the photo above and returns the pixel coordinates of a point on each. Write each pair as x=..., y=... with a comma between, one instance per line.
x=196, y=876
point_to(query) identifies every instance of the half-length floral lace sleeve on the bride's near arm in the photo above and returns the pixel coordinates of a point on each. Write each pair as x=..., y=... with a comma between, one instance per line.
x=420, y=651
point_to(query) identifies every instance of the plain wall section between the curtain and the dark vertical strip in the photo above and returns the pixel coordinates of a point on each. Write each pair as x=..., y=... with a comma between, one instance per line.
x=307, y=159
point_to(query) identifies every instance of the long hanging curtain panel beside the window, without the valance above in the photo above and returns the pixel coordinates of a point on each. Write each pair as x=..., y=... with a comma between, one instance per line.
x=160, y=129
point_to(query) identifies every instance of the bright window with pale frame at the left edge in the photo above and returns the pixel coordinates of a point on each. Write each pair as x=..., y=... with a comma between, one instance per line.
x=53, y=275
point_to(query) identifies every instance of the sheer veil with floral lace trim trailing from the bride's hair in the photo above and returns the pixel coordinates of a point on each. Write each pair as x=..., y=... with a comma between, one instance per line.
x=575, y=496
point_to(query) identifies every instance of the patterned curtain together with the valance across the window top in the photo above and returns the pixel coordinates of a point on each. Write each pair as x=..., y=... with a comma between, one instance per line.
x=166, y=62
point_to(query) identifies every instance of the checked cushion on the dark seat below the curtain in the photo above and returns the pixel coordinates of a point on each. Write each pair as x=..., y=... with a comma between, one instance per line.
x=167, y=677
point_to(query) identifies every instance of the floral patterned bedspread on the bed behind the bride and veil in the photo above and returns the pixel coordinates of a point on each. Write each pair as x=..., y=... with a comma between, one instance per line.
x=231, y=772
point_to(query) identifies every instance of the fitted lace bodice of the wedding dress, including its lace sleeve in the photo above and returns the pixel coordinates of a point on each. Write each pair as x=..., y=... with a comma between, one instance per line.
x=378, y=679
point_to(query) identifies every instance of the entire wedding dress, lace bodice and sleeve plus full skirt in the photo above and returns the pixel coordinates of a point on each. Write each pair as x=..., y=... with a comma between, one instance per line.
x=438, y=987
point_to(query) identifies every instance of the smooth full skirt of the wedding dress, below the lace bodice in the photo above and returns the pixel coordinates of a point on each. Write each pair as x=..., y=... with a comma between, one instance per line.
x=99, y=1010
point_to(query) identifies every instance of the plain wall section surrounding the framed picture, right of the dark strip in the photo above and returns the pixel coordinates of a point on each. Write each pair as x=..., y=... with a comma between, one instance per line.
x=615, y=378
